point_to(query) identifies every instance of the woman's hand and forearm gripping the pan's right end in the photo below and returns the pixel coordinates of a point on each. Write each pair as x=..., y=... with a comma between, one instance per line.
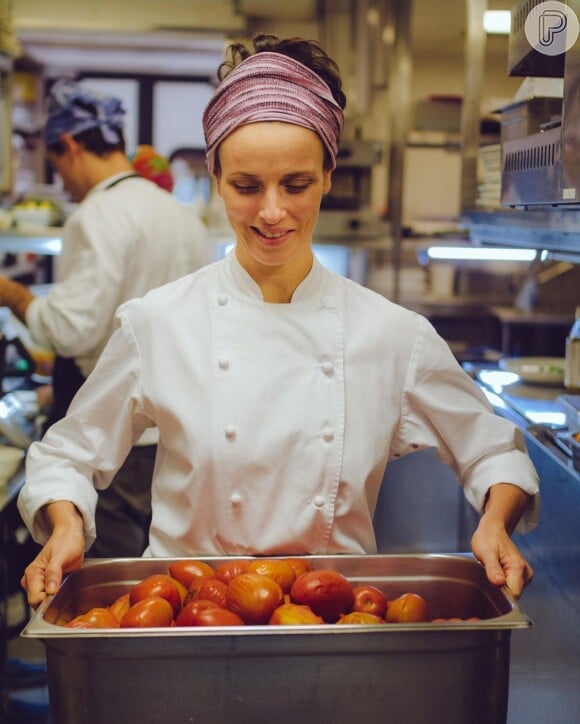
x=492, y=545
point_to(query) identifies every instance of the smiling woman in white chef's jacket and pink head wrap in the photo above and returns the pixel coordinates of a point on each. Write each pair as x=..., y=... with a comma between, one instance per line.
x=280, y=390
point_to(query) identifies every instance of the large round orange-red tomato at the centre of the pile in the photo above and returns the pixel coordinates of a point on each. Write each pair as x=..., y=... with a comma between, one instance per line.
x=254, y=597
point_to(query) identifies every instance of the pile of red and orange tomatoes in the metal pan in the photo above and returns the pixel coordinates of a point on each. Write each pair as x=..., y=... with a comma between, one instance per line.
x=238, y=592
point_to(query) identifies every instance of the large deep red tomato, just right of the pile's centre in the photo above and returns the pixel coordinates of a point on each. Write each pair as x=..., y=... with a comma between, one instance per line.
x=327, y=592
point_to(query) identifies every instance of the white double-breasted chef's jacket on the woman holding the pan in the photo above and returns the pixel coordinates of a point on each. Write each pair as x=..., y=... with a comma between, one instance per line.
x=276, y=421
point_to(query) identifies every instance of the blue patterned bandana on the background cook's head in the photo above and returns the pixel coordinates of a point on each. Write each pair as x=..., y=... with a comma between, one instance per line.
x=74, y=108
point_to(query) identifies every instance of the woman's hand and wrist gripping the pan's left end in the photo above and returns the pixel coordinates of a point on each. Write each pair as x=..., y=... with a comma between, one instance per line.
x=62, y=553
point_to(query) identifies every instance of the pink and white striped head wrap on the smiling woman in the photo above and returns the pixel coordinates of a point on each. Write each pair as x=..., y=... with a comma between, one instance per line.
x=270, y=86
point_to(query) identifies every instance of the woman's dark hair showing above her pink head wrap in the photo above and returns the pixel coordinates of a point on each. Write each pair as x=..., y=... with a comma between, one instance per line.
x=308, y=52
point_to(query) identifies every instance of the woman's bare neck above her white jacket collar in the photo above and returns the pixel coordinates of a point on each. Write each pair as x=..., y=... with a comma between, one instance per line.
x=277, y=283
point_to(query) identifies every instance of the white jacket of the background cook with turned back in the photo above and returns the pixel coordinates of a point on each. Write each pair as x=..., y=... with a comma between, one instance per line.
x=118, y=244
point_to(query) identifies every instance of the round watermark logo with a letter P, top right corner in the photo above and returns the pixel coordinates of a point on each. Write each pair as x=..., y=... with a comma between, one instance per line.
x=552, y=28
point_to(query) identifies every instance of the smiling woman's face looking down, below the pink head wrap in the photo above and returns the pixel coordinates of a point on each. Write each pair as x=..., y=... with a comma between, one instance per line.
x=272, y=181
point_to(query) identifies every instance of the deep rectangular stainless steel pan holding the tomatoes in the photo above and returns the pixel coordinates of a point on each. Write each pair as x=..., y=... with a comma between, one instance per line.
x=404, y=673
